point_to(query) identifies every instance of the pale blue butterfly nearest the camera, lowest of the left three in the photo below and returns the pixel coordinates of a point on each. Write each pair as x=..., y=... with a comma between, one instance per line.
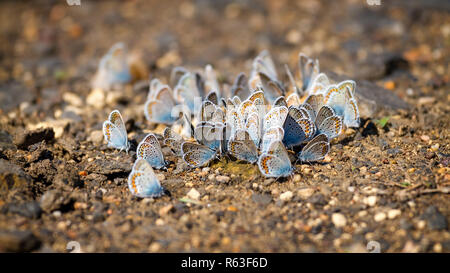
x=142, y=180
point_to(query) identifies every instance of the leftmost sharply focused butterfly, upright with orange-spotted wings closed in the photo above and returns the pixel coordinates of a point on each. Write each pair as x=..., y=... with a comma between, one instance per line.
x=115, y=132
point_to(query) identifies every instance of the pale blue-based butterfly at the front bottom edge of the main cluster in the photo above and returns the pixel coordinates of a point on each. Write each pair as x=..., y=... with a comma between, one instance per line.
x=275, y=162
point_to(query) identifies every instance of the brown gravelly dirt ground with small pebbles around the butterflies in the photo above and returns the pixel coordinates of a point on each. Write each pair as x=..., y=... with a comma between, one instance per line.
x=386, y=184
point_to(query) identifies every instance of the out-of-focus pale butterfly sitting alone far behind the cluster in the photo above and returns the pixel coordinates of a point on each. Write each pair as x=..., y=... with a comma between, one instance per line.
x=113, y=68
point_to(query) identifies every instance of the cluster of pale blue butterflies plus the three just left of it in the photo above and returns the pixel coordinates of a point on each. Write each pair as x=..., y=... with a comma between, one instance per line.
x=255, y=120
